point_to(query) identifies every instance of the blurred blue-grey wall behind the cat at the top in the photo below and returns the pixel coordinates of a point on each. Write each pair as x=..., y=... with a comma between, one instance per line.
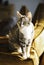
x=31, y=4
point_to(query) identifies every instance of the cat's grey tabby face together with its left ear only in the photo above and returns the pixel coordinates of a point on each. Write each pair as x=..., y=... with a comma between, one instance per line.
x=23, y=20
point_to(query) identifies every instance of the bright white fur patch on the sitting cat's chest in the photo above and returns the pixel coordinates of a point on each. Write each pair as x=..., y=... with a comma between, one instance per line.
x=26, y=31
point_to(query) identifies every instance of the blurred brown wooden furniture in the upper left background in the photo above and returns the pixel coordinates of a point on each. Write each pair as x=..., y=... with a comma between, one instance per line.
x=6, y=11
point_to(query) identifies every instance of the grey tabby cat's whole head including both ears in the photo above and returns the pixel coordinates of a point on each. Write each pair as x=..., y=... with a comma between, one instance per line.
x=24, y=20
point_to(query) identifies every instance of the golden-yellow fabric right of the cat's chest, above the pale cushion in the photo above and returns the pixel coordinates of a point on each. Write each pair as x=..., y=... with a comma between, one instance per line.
x=38, y=28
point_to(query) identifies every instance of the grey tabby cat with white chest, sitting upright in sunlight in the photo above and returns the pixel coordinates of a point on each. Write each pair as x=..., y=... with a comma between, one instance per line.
x=22, y=34
